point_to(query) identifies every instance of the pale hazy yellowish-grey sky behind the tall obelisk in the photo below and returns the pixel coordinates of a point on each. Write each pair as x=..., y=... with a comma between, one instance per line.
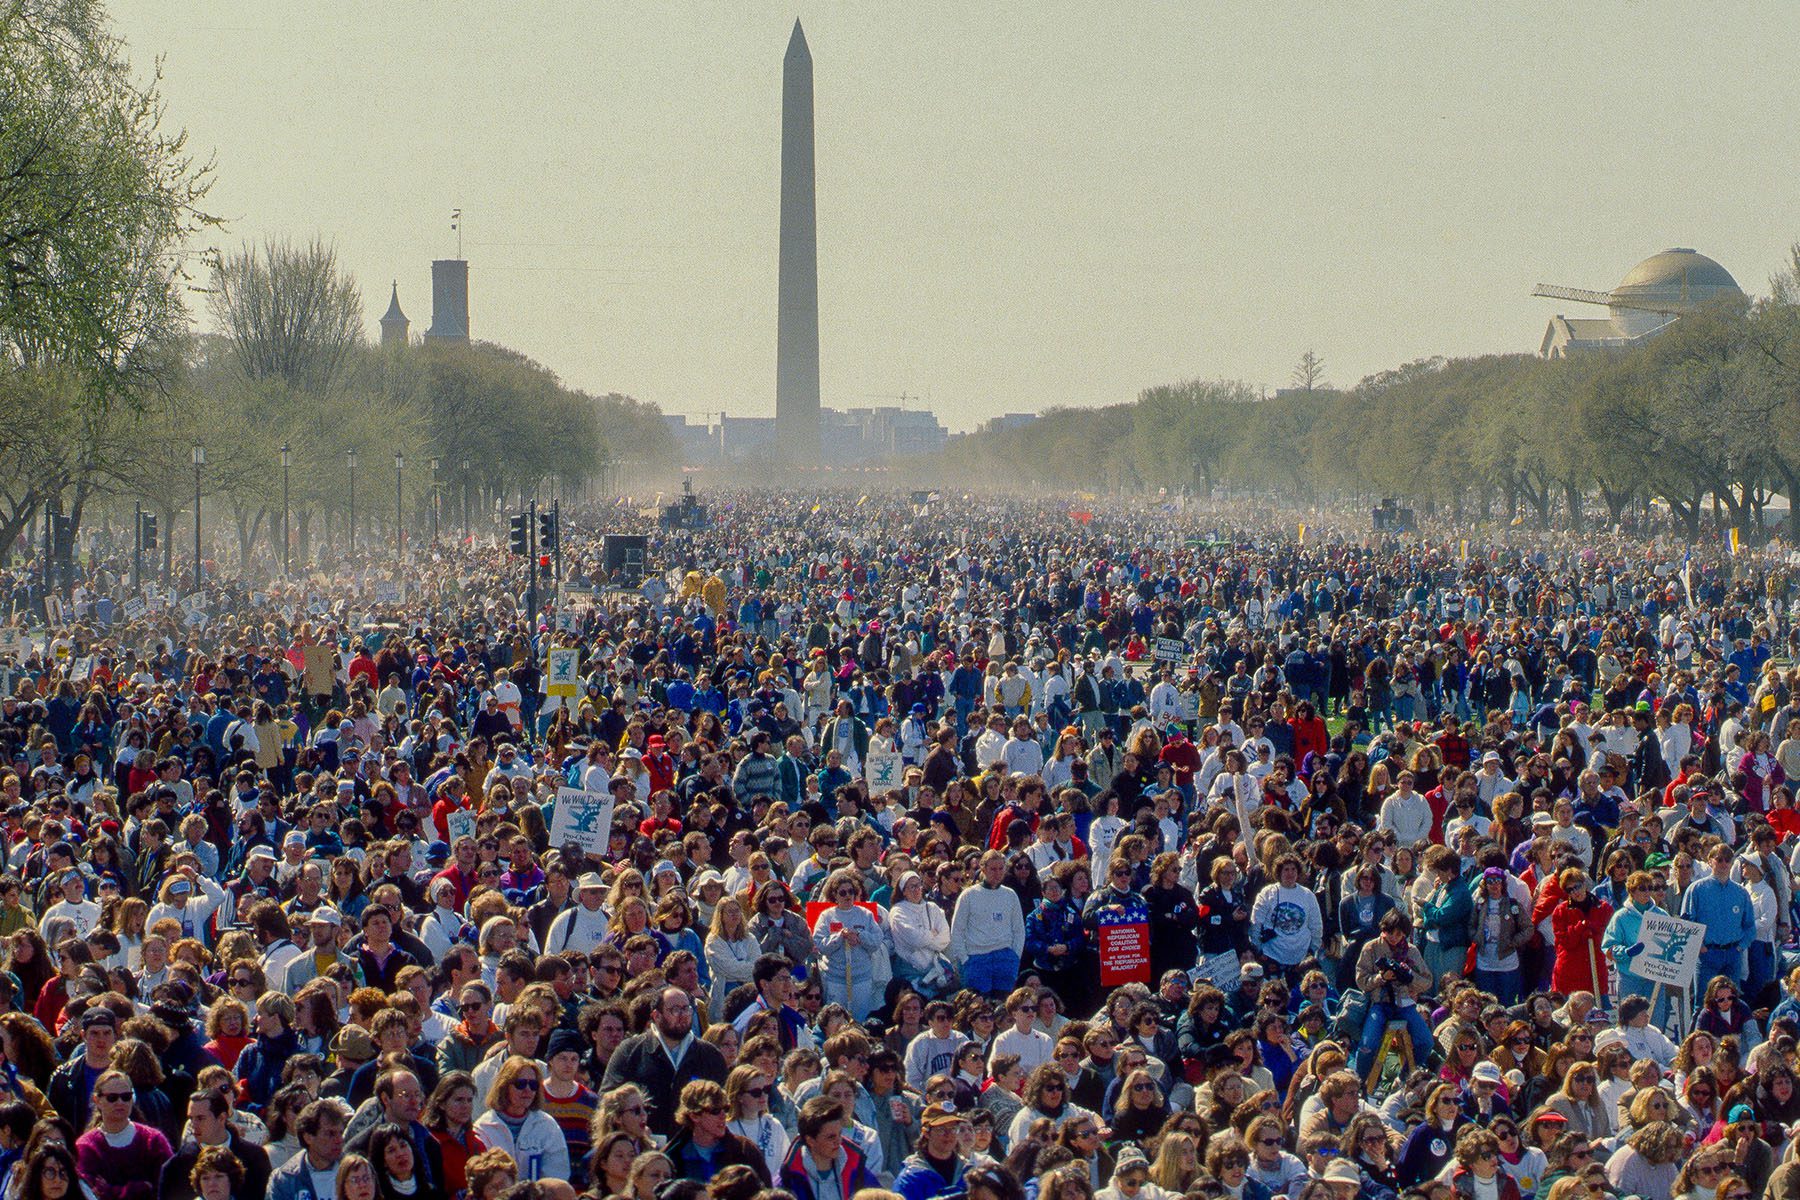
x=1020, y=204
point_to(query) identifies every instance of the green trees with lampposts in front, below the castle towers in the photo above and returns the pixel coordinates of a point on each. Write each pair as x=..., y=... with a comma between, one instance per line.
x=109, y=382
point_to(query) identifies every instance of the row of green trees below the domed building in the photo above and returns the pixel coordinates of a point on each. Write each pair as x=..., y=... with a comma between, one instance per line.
x=1698, y=425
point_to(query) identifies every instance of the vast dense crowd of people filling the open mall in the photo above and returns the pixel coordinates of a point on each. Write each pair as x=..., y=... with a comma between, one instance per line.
x=964, y=848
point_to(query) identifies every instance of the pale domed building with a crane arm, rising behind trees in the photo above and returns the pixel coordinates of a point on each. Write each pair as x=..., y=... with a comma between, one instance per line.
x=1653, y=296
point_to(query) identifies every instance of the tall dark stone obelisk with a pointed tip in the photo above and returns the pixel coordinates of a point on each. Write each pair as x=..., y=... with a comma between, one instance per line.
x=798, y=307
